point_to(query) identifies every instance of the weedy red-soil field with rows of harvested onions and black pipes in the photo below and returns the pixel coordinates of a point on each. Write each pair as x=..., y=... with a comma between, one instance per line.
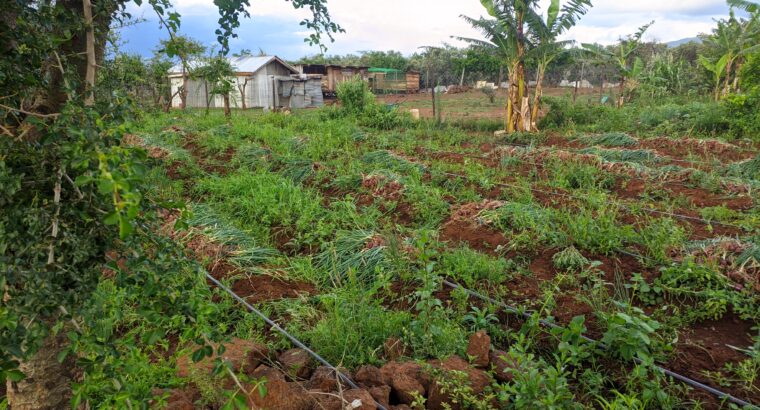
x=363, y=244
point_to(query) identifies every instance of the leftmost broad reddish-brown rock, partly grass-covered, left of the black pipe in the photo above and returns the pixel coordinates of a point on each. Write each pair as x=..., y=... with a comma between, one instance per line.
x=244, y=355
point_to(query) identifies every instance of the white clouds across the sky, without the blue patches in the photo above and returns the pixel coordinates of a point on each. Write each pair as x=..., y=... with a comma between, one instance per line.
x=405, y=25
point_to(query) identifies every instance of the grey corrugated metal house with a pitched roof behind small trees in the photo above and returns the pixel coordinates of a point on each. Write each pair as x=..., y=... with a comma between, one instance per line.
x=260, y=82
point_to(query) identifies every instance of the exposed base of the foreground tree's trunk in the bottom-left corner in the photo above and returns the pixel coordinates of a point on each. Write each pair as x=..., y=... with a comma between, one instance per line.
x=48, y=382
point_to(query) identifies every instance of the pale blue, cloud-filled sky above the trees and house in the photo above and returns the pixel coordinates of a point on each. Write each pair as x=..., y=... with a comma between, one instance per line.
x=406, y=25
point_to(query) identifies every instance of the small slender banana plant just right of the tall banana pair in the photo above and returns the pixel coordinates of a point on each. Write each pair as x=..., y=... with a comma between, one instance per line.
x=623, y=57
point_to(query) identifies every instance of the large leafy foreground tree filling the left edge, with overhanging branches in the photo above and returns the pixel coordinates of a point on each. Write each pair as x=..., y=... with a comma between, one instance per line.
x=66, y=180
